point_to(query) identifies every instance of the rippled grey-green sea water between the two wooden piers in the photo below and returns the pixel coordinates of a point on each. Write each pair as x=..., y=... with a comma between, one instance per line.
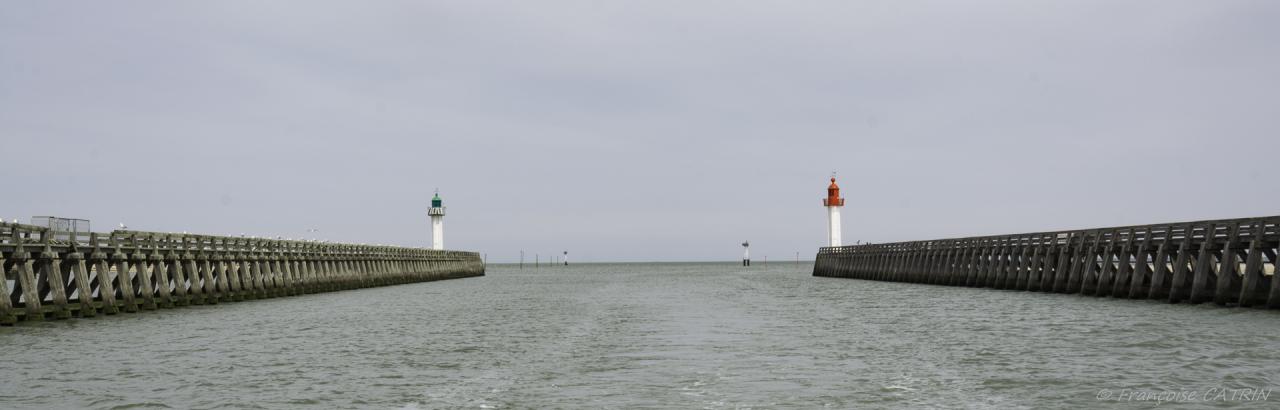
x=647, y=336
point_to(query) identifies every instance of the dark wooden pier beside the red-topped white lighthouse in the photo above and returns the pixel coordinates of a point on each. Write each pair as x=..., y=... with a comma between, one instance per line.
x=1229, y=263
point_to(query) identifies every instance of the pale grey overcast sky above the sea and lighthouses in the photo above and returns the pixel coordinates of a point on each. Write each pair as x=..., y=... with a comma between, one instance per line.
x=638, y=130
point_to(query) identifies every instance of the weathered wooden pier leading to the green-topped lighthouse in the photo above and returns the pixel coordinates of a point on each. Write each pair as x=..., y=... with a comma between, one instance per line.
x=47, y=277
